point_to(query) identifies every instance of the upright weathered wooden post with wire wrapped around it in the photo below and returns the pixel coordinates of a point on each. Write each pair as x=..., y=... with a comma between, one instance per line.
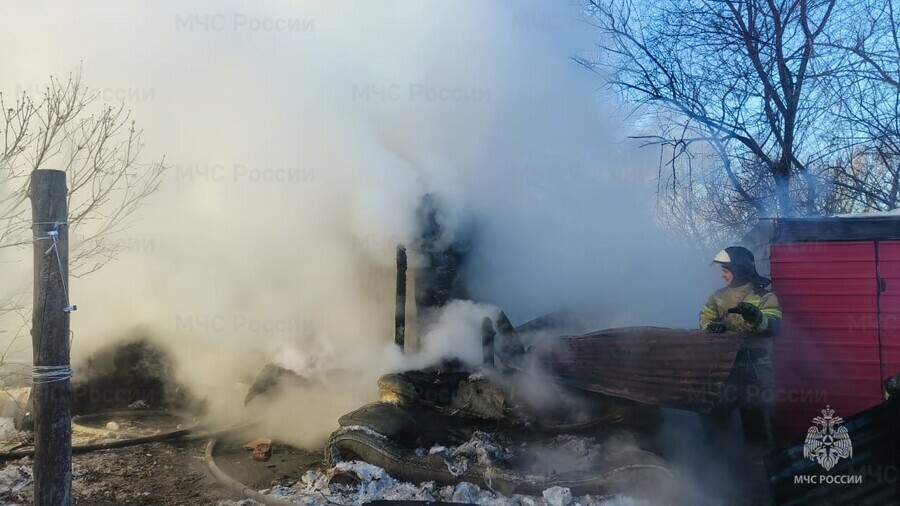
x=52, y=389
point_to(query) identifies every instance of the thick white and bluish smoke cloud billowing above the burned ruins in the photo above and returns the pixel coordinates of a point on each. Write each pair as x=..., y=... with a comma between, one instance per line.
x=301, y=138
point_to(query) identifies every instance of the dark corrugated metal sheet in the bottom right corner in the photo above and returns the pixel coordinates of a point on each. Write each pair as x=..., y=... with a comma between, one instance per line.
x=869, y=476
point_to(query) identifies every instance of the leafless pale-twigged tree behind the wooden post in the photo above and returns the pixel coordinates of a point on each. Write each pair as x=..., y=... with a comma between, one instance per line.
x=99, y=148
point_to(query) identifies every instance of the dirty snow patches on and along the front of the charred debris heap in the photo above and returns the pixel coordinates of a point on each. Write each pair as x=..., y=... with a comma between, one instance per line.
x=374, y=483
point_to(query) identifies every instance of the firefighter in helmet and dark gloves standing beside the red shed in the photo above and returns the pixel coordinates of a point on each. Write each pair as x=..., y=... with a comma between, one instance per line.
x=744, y=305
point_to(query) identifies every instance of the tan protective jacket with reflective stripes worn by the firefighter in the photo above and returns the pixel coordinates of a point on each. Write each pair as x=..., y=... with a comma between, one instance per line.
x=716, y=309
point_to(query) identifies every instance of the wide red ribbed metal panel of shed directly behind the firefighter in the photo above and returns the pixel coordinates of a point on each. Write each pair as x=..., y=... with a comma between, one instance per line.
x=827, y=352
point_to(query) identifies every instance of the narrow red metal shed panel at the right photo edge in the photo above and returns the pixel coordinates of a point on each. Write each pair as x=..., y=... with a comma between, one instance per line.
x=889, y=305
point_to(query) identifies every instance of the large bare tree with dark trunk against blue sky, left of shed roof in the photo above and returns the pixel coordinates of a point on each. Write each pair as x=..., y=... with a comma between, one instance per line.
x=729, y=81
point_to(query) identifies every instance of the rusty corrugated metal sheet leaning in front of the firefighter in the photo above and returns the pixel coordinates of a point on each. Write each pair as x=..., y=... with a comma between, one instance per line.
x=683, y=369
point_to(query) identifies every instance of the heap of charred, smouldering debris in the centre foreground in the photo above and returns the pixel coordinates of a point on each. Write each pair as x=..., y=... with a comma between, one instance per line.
x=455, y=427
